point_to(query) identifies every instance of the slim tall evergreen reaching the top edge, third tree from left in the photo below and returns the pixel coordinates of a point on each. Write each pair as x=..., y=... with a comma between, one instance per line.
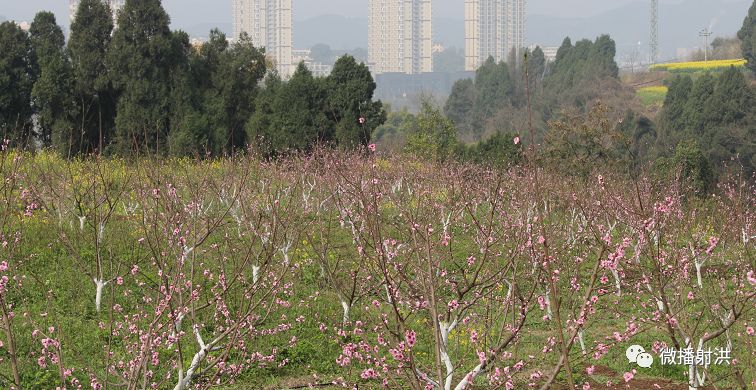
x=93, y=100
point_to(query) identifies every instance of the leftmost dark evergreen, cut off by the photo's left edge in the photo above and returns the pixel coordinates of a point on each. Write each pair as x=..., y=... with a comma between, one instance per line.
x=17, y=74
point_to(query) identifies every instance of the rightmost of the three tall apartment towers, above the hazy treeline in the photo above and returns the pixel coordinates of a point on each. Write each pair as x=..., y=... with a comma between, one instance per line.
x=492, y=28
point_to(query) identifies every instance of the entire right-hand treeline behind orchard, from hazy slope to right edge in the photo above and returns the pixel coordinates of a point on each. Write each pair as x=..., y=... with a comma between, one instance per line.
x=584, y=118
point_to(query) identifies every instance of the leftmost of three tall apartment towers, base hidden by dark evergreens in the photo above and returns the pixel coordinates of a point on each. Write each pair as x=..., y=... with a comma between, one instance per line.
x=269, y=24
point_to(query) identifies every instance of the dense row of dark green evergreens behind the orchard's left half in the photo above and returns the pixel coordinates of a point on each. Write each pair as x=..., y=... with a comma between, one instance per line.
x=142, y=87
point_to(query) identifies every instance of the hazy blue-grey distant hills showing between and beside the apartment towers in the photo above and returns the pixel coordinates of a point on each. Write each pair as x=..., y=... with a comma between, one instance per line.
x=627, y=24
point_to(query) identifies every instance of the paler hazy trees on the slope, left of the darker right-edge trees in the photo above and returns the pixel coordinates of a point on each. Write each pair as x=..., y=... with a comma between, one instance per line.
x=483, y=117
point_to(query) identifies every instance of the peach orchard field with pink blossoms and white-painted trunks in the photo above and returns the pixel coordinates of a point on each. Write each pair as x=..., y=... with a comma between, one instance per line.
x=358, y=270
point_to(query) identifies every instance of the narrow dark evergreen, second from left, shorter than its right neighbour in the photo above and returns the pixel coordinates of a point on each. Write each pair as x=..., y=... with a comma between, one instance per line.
x=51, y=94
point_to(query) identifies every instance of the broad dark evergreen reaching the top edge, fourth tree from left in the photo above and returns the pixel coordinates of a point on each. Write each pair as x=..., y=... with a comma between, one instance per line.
x=140, y=65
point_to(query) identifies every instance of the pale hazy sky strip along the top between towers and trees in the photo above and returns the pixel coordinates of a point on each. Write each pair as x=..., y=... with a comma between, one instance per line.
x=191, y=12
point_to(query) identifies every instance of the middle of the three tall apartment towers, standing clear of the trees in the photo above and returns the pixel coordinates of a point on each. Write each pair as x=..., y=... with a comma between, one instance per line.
x=400, y=36
